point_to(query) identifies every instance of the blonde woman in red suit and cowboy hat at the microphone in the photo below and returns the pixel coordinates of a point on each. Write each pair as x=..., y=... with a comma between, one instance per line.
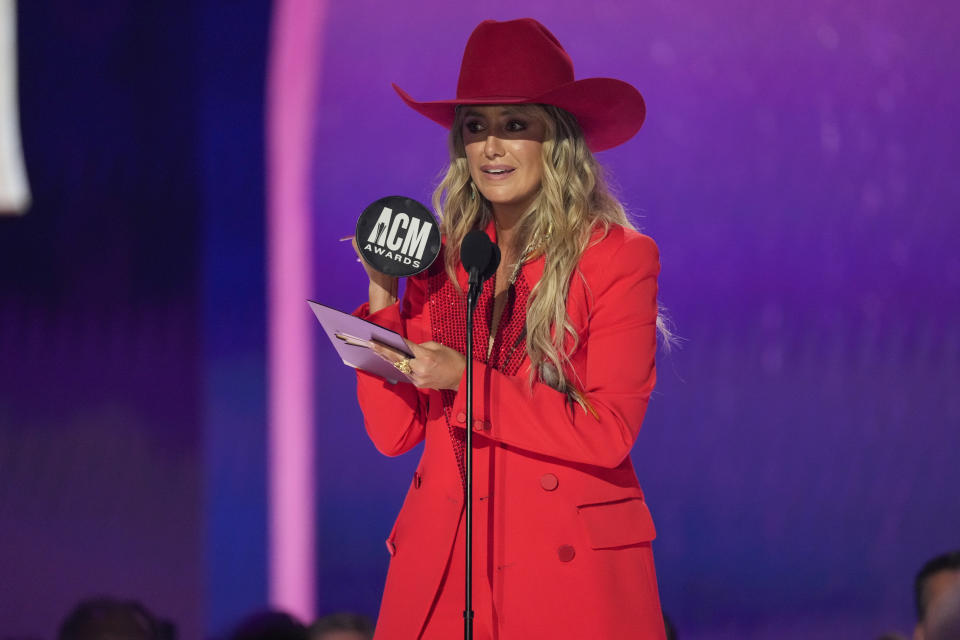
x=565, y=334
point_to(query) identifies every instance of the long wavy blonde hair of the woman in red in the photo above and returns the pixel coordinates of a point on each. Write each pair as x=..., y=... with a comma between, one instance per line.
x=573, y=200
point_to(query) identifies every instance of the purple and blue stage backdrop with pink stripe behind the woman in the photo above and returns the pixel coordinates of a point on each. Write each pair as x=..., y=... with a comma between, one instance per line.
x=799, y=169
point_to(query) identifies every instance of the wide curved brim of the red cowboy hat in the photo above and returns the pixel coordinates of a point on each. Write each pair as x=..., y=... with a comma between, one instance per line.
x=609, y=111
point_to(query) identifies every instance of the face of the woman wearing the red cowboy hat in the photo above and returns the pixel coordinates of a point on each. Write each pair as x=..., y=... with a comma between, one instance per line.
x=503, y=146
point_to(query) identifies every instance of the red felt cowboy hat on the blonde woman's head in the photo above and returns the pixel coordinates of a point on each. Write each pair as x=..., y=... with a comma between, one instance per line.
x=521, y=62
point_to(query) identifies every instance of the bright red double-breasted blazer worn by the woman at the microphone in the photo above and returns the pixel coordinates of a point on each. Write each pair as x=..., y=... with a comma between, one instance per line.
x=562, y=532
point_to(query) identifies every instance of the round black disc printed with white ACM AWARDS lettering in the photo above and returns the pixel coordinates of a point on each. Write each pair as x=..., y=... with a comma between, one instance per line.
x=398, y=236
